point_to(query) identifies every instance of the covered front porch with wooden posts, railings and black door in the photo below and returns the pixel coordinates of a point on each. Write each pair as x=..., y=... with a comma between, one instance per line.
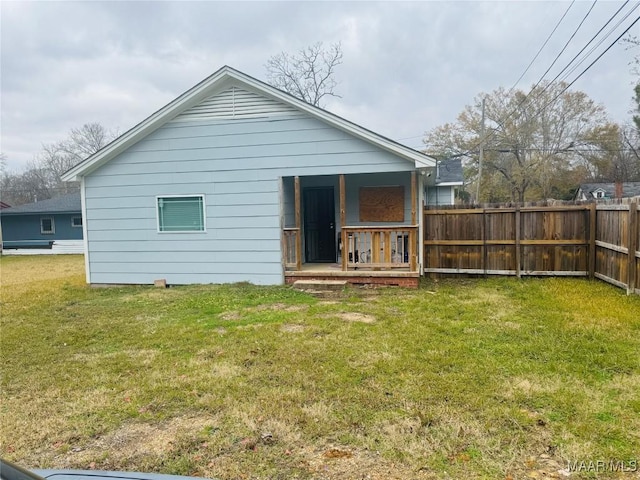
x=361, y=228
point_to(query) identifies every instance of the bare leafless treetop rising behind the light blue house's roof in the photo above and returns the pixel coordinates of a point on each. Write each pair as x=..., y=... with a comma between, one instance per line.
x=307, y=75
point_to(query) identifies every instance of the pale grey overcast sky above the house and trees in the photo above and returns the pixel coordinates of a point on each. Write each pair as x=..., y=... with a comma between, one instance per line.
x=407, y=68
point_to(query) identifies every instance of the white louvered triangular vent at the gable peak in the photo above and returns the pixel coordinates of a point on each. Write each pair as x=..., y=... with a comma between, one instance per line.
x=236, y=103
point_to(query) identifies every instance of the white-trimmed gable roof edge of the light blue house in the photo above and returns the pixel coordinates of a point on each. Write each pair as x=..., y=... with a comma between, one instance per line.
x=218, y=83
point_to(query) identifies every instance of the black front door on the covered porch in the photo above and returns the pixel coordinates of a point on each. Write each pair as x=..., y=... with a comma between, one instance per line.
x=319, y=225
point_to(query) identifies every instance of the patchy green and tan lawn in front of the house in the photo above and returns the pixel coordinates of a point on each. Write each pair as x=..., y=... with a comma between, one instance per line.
x=461, y=379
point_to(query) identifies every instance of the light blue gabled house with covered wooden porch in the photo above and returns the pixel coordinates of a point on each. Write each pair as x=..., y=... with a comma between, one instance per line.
x=235, y=180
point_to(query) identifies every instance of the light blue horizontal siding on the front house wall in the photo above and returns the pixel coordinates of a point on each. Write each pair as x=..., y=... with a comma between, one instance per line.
x=237, y=164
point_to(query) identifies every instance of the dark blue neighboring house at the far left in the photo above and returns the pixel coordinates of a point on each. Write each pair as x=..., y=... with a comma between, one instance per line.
x=48, y=226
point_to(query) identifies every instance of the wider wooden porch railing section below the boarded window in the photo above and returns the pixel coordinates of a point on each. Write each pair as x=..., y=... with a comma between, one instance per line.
x=379, y=248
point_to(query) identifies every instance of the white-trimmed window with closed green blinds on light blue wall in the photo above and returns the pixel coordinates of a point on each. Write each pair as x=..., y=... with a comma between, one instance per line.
x=181, y=213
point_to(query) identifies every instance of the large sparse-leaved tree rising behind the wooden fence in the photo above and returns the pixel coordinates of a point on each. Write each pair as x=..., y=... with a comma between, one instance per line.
x=534, y=143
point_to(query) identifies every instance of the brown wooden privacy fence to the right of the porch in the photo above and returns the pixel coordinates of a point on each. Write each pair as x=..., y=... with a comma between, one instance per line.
x=570, y=240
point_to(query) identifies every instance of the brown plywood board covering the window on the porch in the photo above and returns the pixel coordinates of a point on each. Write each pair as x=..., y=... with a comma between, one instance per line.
x=382, y=204
